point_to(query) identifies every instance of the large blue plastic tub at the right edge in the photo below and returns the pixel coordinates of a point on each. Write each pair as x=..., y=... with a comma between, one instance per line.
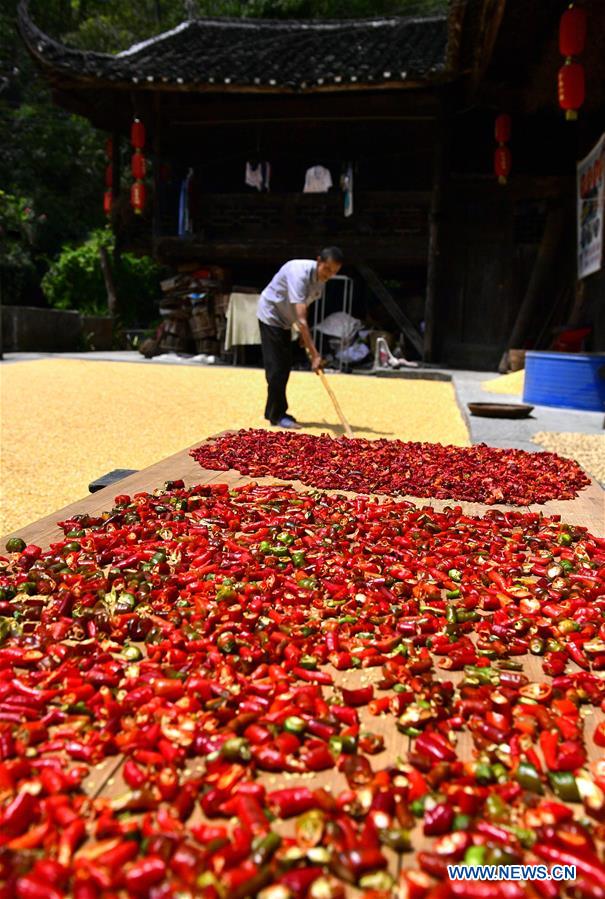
x=569, y=380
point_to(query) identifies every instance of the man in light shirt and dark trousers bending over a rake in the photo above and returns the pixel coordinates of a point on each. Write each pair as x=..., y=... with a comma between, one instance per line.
x=283, y=303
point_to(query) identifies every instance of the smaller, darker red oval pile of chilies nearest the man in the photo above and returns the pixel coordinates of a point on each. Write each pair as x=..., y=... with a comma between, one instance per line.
x=477, y=473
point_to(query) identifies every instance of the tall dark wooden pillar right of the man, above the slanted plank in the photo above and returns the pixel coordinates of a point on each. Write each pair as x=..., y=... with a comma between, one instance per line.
x=432, y=274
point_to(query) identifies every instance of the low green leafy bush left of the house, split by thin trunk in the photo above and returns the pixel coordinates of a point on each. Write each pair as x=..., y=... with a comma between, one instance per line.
x=75, y=281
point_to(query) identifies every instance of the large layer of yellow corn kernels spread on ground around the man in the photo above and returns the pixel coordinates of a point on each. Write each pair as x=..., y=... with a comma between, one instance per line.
x=67, y=422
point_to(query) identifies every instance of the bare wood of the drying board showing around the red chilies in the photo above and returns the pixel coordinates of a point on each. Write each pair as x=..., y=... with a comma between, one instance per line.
x=105, y=780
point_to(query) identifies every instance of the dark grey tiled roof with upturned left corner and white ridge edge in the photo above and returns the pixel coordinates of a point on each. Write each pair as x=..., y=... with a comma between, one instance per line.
x=261, y=54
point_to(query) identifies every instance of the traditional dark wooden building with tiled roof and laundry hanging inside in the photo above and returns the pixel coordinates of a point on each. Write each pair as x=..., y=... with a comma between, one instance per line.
x=405, y=105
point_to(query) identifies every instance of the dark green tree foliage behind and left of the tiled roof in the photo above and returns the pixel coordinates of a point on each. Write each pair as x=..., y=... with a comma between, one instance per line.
x=56, y=159
